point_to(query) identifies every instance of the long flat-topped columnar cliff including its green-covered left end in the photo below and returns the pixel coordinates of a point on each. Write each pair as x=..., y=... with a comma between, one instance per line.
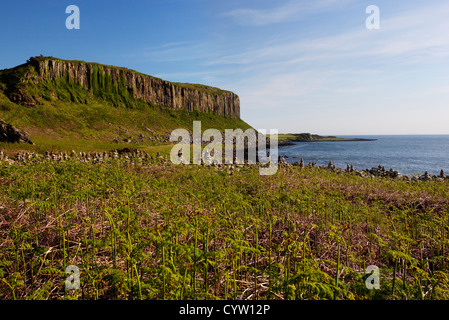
x=118, y=85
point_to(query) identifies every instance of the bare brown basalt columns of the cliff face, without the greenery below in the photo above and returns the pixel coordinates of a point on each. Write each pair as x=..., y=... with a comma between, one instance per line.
x=147, y=88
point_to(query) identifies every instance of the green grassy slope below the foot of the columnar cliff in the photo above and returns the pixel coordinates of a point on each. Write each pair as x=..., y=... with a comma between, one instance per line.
x=99, y=125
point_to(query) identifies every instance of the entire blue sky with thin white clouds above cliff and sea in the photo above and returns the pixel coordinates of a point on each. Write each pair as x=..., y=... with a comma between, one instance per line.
x=297, y=65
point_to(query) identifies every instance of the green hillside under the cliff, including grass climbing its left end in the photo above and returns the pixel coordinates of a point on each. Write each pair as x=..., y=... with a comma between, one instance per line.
x=68, y=116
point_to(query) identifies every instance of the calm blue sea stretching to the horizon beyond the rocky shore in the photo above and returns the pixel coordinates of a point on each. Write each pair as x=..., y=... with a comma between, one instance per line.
x=408, y=154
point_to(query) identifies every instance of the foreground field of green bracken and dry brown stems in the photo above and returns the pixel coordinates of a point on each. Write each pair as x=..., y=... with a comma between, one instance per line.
x=159, y=231
